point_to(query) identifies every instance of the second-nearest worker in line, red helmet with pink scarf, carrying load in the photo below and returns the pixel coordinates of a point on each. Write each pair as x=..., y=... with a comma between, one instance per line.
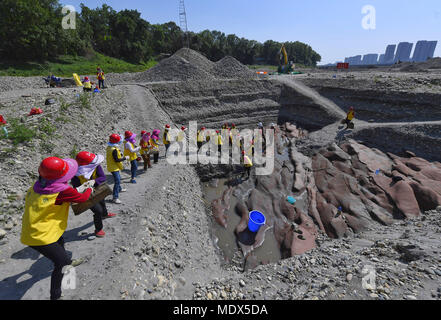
x=89, y=169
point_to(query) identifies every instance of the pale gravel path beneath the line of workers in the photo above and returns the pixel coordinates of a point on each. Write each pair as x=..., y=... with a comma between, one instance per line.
x=155, y=248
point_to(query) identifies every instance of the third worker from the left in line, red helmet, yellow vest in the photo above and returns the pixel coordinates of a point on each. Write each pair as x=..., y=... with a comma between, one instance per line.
x=114, y=161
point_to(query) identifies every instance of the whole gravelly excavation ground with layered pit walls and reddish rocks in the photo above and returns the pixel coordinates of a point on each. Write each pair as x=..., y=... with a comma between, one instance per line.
x=340, y=201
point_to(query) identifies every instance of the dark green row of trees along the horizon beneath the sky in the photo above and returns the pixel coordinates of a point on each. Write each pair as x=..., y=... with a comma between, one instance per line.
x=31, y=30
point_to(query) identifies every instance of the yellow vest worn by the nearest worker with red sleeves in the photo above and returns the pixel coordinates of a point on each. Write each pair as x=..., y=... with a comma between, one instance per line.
x=43, y=222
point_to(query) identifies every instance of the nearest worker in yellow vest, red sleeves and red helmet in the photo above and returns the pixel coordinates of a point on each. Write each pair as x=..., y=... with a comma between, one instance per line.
x=46, y=213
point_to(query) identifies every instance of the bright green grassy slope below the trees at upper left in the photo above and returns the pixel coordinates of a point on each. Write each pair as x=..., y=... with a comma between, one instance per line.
x=65, y=66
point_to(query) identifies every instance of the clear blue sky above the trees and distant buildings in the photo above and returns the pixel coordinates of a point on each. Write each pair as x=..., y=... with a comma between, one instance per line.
x=332, y=28
